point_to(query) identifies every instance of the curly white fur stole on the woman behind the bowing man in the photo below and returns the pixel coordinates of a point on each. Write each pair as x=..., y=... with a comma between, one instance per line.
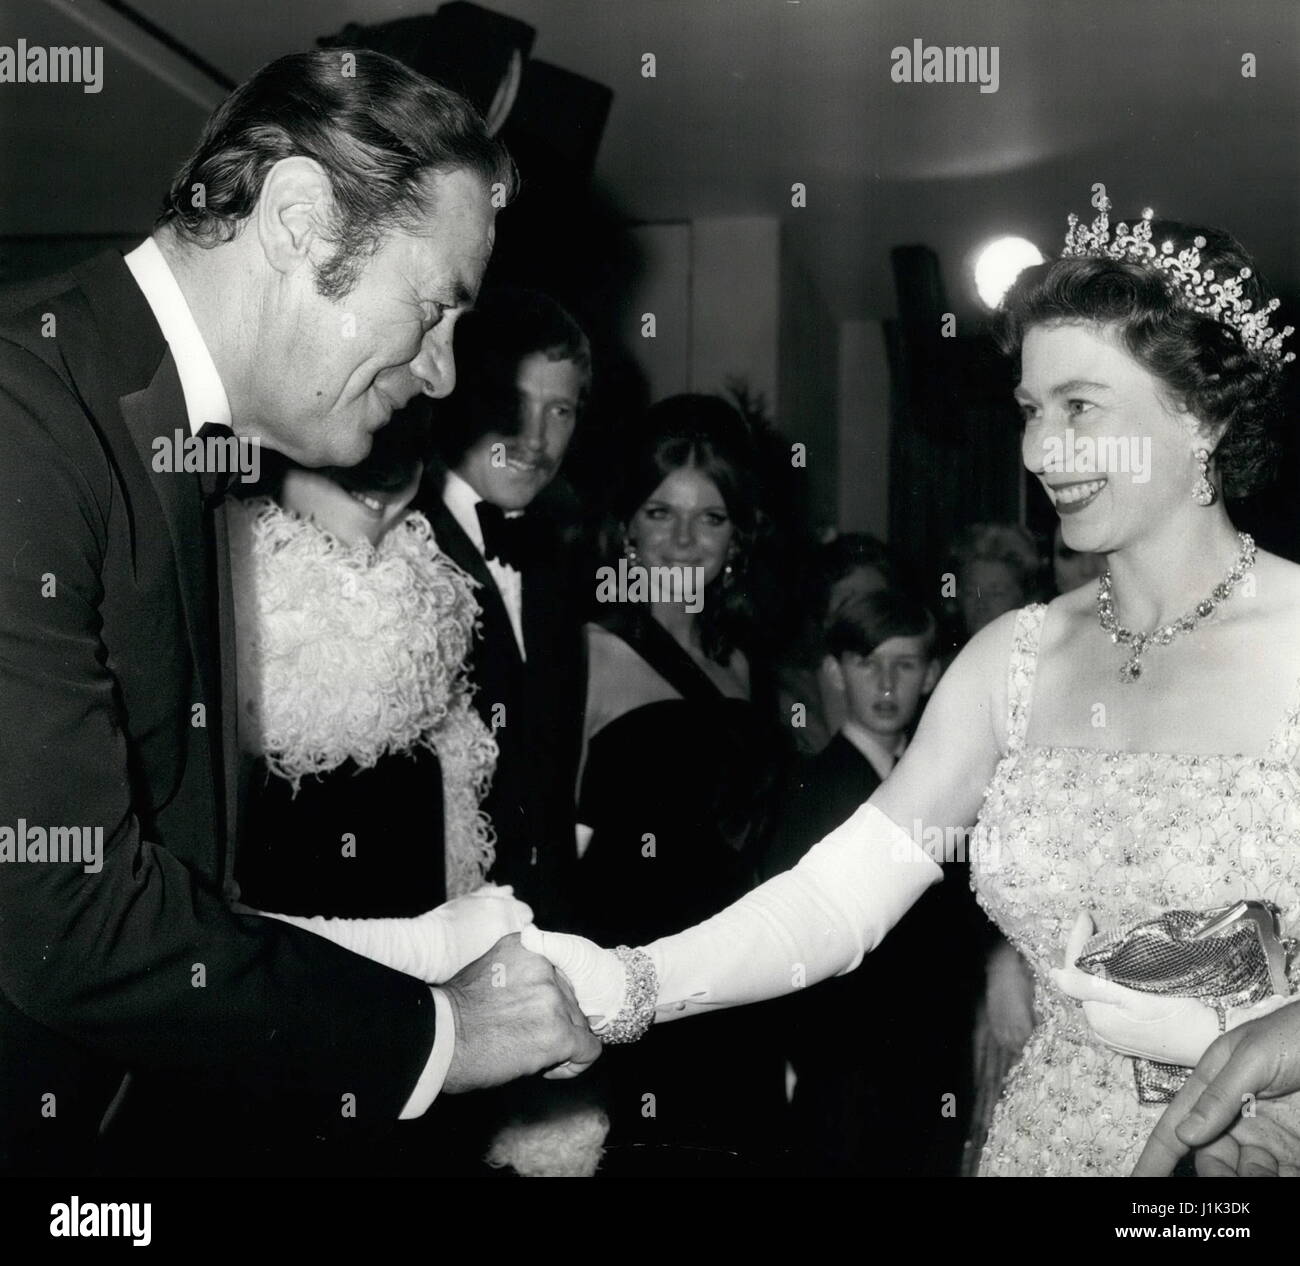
x=361, y=653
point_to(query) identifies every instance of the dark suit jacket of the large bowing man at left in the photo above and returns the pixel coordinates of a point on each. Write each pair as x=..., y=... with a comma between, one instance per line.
x=107, y=651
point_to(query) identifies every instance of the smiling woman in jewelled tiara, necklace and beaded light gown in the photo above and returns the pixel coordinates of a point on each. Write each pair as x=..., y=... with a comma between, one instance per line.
x=1186, y=800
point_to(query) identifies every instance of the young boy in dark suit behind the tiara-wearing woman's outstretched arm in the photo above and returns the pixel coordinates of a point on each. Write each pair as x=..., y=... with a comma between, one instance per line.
x=882, y=1056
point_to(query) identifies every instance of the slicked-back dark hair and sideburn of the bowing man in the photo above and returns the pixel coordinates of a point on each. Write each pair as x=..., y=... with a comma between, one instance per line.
x=378, y=129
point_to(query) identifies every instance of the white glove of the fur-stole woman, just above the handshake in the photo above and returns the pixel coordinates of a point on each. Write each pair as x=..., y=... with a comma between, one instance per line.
x=432, y=947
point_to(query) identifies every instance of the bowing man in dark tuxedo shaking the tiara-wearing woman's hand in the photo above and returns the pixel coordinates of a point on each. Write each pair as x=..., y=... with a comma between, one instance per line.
x=304, y=283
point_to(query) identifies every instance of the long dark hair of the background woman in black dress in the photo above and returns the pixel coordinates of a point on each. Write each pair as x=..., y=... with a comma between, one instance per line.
x=705, y=433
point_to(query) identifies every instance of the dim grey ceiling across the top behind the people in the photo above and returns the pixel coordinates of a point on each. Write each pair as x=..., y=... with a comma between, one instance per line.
x=752, y=96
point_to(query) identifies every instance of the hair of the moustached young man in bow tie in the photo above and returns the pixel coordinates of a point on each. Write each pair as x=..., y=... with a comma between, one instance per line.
x=491, y=342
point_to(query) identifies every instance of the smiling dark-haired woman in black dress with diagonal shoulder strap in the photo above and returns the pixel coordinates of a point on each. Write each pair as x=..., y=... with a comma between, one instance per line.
x=679, y=770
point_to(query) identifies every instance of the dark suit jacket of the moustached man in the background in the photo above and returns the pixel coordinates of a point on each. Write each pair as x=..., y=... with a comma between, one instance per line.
x=540, y=703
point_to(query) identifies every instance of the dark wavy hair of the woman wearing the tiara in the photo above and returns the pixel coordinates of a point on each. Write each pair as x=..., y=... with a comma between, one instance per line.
x=1202, y=363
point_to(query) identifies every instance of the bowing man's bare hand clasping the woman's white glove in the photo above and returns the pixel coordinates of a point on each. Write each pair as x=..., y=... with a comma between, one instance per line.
x=515, y=1016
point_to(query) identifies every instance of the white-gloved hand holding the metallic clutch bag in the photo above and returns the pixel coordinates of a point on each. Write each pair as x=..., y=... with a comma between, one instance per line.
x=1147, y=1026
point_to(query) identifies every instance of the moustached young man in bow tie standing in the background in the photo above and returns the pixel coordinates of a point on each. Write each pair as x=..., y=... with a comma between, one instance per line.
x=526, y=371
